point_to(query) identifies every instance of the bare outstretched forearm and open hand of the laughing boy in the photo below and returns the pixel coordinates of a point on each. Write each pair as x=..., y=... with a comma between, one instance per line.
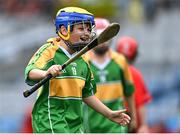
x=116, y=116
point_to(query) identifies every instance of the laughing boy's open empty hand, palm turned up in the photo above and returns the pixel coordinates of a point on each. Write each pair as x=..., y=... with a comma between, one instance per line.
x=120, y=117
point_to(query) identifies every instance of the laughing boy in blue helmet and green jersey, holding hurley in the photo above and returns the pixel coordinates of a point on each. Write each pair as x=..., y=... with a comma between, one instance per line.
x=58, y=108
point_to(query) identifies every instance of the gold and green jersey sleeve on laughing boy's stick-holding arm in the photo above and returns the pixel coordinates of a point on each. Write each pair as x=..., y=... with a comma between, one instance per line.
x=39, y=60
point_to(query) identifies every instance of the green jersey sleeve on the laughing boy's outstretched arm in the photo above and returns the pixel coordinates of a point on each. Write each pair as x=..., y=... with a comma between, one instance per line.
x=90, y=85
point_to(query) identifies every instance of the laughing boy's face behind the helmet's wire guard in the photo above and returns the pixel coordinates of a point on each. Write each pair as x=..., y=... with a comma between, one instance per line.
x=80, y=33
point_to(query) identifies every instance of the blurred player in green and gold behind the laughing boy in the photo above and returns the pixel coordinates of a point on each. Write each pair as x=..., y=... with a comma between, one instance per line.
x=114, y=85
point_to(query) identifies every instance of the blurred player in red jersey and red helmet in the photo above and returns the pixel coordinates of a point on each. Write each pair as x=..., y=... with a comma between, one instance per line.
x=128, y=46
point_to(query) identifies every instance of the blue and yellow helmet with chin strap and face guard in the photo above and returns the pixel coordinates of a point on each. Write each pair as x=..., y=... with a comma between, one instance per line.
x=70, y=16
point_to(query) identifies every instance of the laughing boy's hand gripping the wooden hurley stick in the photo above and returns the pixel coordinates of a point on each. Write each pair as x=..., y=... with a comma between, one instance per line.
x=55, y=70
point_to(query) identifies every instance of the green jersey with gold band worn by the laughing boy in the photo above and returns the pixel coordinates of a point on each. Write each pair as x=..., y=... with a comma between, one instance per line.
x=58, y=108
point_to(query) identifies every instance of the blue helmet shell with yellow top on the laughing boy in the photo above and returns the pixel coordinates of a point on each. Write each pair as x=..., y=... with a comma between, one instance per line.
x=70, y=15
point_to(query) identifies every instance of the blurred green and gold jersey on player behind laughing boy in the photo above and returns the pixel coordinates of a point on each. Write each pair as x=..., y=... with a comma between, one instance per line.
x=113, y=81
